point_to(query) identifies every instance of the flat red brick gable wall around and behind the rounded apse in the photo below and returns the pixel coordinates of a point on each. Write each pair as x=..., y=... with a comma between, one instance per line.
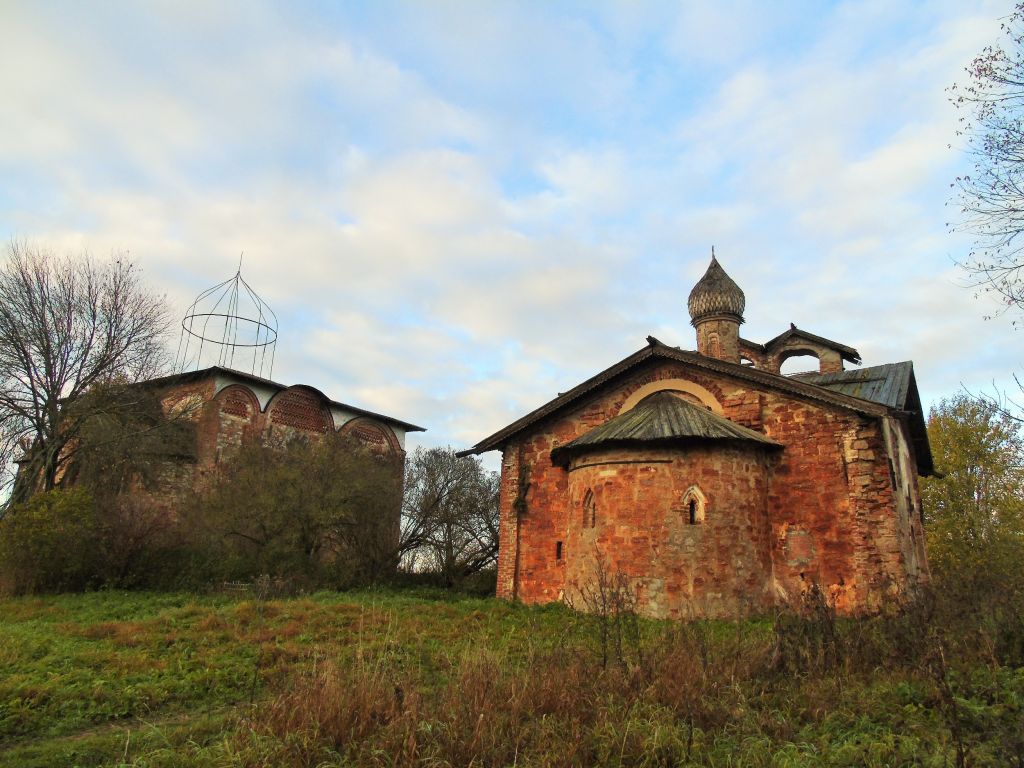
x=829, y=500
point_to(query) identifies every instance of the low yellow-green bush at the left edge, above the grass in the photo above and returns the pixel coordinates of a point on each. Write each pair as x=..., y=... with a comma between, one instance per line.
x=51, y=543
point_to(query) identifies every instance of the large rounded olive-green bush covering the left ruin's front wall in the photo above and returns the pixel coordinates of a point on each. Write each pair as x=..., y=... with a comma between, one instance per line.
x=327, y=510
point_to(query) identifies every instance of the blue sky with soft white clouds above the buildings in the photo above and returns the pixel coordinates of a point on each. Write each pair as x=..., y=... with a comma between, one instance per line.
x=458, y=210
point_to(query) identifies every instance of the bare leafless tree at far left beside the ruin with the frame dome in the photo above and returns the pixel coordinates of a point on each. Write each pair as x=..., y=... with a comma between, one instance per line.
x=67, y=325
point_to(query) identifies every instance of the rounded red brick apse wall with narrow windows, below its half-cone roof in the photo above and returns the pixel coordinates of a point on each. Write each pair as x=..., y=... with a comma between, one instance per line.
x=719, y=567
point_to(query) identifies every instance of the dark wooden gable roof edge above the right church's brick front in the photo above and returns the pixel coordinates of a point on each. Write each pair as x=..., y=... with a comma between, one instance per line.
x=657, y=351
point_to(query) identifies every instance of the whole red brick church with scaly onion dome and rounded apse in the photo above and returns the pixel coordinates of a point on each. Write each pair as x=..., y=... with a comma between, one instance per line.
x=712, y=483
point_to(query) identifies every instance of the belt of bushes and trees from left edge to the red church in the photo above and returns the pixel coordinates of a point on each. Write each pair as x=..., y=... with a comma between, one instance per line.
x=320, y=514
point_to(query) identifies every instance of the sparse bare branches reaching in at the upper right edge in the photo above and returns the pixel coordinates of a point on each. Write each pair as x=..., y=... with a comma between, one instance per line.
x=992, y=199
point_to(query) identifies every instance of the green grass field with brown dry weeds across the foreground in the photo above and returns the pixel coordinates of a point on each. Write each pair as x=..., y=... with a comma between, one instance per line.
x=377, y=678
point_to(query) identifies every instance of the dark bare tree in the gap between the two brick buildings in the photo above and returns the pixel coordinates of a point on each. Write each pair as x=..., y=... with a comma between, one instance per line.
x=450, y=515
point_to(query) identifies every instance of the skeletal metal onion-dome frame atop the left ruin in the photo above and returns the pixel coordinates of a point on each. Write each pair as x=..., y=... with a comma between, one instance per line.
x=215, y=324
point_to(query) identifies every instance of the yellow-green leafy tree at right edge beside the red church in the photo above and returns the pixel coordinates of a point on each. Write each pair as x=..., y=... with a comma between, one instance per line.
x=975, y=510
